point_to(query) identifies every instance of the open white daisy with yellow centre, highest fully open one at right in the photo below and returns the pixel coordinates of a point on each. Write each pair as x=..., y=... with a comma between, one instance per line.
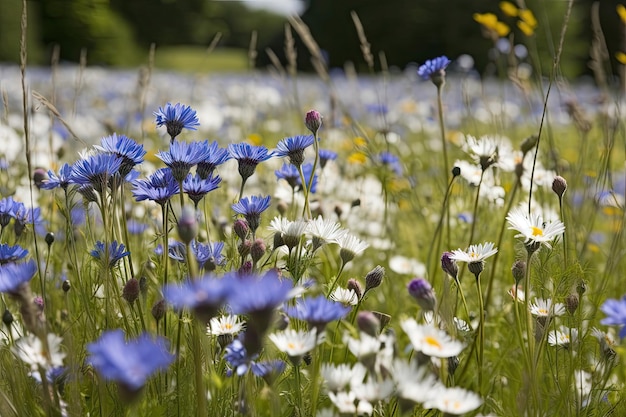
x=532, y=228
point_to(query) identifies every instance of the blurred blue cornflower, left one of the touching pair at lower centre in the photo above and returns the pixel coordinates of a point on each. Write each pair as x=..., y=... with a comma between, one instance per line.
x=204, y=296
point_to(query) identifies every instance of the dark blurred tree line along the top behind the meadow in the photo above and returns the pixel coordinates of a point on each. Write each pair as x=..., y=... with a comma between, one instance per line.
x=120, y=32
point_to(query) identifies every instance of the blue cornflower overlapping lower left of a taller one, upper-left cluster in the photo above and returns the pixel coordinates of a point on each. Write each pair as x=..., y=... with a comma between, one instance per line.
x=96, y=170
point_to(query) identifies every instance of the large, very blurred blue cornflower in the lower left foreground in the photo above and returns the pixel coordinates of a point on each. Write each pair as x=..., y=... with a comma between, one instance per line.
x=129, y=363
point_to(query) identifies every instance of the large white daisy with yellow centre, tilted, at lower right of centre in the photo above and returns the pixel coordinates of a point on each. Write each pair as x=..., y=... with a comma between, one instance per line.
x=430, y=340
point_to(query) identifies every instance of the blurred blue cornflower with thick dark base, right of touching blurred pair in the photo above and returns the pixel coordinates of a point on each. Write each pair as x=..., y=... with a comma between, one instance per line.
x=258, y=297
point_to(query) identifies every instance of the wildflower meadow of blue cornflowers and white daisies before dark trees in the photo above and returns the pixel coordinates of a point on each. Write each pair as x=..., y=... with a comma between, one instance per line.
x=415, y=242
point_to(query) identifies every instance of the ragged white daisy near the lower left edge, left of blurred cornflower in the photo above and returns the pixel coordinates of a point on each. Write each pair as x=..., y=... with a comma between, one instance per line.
x=30, y=350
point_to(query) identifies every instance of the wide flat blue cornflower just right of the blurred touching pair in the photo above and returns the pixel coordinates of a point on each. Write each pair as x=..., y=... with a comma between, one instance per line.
x=317, y=311
